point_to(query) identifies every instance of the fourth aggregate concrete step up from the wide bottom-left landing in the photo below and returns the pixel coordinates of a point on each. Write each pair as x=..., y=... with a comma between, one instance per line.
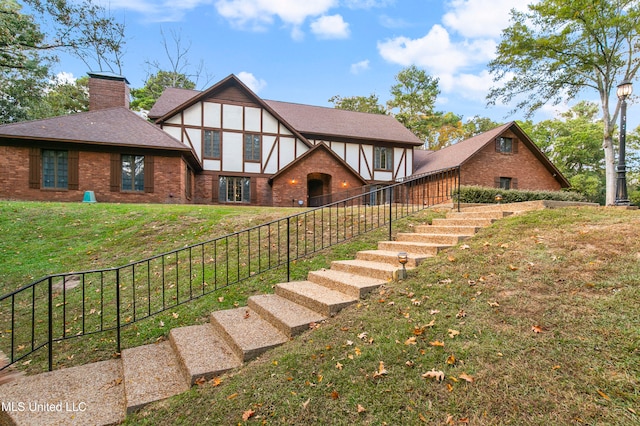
x=291, y=314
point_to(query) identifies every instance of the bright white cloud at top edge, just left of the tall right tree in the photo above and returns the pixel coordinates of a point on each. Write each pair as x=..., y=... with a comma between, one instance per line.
x=480, y=18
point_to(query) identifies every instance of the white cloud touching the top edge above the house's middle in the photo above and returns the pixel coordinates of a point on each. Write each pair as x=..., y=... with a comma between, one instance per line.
x=258, y=14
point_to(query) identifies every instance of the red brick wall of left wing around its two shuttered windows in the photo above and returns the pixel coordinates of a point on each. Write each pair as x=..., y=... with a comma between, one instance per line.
x=94, y=175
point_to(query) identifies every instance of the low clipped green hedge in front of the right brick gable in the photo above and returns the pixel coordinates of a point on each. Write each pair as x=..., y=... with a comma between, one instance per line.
x=486, y=195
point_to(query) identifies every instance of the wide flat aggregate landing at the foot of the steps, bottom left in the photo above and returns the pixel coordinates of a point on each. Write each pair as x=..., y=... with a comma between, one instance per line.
x=90, y=394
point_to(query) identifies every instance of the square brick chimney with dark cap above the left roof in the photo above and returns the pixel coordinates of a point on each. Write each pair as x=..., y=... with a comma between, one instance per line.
x=107, y=90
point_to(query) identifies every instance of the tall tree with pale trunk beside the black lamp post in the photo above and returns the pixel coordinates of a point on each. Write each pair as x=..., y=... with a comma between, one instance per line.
x=559, y=48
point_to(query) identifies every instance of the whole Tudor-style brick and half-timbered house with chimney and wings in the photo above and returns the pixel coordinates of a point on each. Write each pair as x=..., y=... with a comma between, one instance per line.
x=227, y=145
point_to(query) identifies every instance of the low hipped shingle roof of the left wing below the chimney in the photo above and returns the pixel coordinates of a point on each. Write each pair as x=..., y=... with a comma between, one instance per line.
x=112, y=126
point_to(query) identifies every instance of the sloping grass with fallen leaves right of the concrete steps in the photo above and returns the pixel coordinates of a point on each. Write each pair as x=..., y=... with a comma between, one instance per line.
x=570, y=272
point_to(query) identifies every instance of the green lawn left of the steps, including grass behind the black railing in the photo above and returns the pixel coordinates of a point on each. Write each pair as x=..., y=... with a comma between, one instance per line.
x=75, y=237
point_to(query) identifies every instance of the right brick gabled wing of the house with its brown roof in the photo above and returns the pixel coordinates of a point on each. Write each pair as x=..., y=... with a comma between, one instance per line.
x=504, y=157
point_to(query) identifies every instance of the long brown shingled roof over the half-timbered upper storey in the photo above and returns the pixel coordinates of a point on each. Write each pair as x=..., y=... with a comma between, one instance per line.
x=323, y=121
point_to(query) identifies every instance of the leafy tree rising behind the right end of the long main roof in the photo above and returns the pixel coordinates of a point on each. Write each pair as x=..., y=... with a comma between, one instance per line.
x=414, y=97
